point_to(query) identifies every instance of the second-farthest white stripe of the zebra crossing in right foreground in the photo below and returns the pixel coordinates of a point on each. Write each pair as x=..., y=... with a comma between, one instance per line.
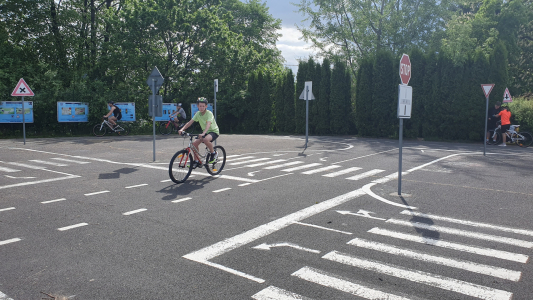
x=470, y=234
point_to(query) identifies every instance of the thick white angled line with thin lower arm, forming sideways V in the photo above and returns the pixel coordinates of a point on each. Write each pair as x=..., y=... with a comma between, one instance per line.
x=205, y=254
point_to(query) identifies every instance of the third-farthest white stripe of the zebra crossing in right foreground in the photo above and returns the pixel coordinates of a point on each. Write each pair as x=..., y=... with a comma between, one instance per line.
x=454, y=246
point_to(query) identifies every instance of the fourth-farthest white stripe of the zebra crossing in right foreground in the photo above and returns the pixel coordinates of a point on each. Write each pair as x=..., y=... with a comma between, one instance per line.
x=453, y=263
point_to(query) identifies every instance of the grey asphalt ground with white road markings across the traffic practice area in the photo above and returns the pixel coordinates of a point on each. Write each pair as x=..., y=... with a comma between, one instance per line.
x=96, y=218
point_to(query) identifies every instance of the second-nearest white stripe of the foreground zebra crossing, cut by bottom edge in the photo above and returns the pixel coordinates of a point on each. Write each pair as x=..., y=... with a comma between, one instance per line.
x=333, y=281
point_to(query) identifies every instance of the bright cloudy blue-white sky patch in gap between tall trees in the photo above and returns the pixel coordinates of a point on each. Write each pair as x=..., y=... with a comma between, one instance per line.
x=290, y=44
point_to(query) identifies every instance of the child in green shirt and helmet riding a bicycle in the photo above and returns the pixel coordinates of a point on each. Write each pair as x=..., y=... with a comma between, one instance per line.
x=209, y=133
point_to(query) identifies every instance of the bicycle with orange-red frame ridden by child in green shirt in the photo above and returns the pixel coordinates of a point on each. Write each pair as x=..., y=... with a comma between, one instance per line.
x=182, y=163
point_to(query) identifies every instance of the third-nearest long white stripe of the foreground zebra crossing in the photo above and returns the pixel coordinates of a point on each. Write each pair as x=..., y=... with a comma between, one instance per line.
x=438, y=281
